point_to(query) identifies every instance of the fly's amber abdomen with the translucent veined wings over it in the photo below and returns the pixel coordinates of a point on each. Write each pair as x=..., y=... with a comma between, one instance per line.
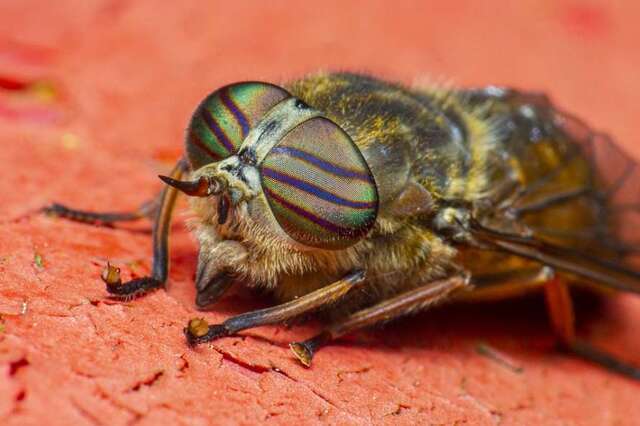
x=576, y=200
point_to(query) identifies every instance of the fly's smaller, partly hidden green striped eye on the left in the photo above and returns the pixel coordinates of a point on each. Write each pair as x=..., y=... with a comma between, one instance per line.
x=221, y=122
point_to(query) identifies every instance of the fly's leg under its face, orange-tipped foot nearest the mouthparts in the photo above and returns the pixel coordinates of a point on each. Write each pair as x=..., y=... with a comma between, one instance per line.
x=198, y=331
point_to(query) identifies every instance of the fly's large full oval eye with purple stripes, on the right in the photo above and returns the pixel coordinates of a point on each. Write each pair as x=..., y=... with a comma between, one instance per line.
x=319, y=187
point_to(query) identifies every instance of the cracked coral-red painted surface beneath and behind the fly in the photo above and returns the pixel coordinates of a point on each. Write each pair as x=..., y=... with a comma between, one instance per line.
x=115, y=84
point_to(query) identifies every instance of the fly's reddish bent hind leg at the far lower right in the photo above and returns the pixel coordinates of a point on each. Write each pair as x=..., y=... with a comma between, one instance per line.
x=560, y=307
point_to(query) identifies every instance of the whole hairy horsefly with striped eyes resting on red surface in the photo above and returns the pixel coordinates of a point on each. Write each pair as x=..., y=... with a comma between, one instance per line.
x=370, y=200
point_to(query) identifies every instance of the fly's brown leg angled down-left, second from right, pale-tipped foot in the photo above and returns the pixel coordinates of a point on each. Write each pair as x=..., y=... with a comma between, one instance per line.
x=403, y=304
